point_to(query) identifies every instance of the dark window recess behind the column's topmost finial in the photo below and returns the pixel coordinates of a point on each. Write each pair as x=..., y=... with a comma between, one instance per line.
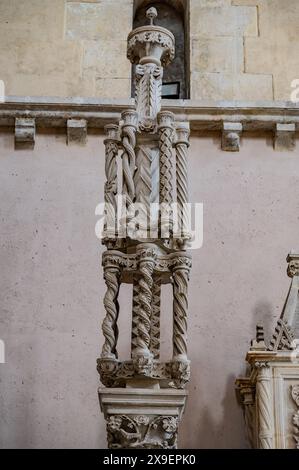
x=172, y=15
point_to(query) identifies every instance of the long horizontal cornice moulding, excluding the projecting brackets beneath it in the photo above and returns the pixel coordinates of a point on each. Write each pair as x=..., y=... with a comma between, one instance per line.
x=202, y=115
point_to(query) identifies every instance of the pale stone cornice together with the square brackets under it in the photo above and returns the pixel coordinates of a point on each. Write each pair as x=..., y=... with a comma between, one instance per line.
x=231, y=118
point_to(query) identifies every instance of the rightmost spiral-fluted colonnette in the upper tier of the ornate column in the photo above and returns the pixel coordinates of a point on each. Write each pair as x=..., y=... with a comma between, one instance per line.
x=181, y=148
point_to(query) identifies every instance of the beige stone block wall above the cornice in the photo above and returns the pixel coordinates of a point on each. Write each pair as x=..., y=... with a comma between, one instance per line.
x=240, y=49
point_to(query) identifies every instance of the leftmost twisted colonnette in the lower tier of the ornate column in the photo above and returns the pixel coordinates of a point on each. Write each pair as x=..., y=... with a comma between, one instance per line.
x=110, y=330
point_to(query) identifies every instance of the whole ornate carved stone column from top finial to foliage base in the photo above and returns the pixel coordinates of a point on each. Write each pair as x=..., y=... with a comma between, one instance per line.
x=144, y=398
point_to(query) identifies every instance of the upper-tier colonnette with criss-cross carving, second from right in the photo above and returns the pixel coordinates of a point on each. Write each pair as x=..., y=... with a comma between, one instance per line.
x=165, y=126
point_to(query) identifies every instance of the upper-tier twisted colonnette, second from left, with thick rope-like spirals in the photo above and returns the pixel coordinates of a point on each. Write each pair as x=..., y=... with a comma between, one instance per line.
x=130, y=120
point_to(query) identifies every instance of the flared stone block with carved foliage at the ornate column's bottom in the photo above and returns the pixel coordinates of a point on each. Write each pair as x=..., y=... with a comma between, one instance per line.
x=139, y=418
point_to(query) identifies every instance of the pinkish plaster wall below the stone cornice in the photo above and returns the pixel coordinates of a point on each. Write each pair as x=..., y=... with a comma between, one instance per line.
x=51, y=285
